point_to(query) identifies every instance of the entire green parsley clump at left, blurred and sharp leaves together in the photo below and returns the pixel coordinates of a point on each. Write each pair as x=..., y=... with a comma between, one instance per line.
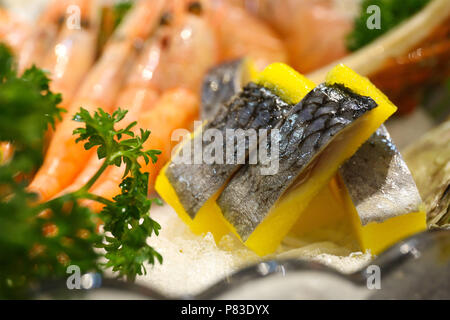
x=39, y=242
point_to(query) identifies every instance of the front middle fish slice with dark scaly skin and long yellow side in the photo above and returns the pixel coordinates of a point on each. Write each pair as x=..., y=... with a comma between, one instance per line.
x=324, y=130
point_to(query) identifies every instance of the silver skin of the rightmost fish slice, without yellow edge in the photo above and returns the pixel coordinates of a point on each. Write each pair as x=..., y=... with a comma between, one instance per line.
x=379, y=181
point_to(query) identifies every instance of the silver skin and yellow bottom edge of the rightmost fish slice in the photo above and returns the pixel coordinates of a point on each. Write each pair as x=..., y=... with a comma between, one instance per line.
x=380, y=194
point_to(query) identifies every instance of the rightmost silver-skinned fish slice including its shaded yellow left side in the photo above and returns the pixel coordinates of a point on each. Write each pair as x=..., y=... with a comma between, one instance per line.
x=374, y=196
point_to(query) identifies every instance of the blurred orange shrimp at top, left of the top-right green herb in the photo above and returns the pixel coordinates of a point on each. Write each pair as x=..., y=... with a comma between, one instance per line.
x=313, y=31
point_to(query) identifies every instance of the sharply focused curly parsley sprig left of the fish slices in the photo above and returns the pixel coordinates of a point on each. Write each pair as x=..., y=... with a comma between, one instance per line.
x=126, y=217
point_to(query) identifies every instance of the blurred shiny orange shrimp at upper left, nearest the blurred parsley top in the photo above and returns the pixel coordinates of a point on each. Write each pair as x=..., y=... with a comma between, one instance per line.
x=74, y=52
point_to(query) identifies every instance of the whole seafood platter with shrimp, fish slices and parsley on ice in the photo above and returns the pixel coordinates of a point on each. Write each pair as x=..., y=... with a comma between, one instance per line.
x=263, y=126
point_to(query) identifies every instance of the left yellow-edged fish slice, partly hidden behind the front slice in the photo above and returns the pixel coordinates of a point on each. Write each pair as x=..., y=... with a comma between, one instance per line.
x=190, y=188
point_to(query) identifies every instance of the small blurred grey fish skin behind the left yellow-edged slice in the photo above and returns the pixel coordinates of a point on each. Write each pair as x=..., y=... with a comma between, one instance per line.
x=219, y=86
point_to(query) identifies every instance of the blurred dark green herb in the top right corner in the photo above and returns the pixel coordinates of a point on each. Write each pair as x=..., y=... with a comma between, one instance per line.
x=392, y=13
